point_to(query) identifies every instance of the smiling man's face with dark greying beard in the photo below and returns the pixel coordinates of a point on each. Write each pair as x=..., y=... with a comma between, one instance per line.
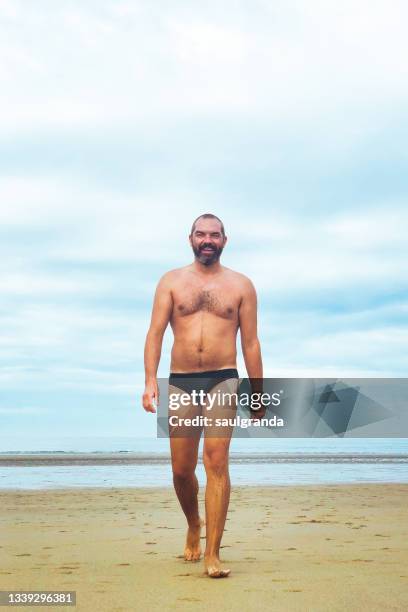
x=207, y=241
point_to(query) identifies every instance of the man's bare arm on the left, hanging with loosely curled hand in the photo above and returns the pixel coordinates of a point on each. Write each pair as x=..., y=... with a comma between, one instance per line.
x=161, y=313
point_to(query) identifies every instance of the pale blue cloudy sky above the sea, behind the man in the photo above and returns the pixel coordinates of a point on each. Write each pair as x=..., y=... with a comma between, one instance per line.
x=121, y=122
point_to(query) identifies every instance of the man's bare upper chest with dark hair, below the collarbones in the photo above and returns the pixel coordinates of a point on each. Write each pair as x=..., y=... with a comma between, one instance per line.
x=222, y=303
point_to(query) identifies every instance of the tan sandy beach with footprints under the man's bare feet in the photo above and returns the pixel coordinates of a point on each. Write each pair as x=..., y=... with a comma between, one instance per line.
x=339, y=547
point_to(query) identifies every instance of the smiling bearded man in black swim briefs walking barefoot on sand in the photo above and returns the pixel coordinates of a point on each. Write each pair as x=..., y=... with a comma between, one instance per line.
x=205, y=303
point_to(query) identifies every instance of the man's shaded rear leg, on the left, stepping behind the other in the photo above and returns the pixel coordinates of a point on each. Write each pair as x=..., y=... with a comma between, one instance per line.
x=184, y=455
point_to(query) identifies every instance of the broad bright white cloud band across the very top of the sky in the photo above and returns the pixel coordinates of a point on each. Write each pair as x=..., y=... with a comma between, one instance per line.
x=288, y=62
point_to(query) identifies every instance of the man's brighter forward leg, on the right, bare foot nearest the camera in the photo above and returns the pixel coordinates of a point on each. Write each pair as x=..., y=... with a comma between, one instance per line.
x=217, y=495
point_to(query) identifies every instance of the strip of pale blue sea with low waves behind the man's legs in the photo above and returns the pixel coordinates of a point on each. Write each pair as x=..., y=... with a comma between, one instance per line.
x=109, y=462
